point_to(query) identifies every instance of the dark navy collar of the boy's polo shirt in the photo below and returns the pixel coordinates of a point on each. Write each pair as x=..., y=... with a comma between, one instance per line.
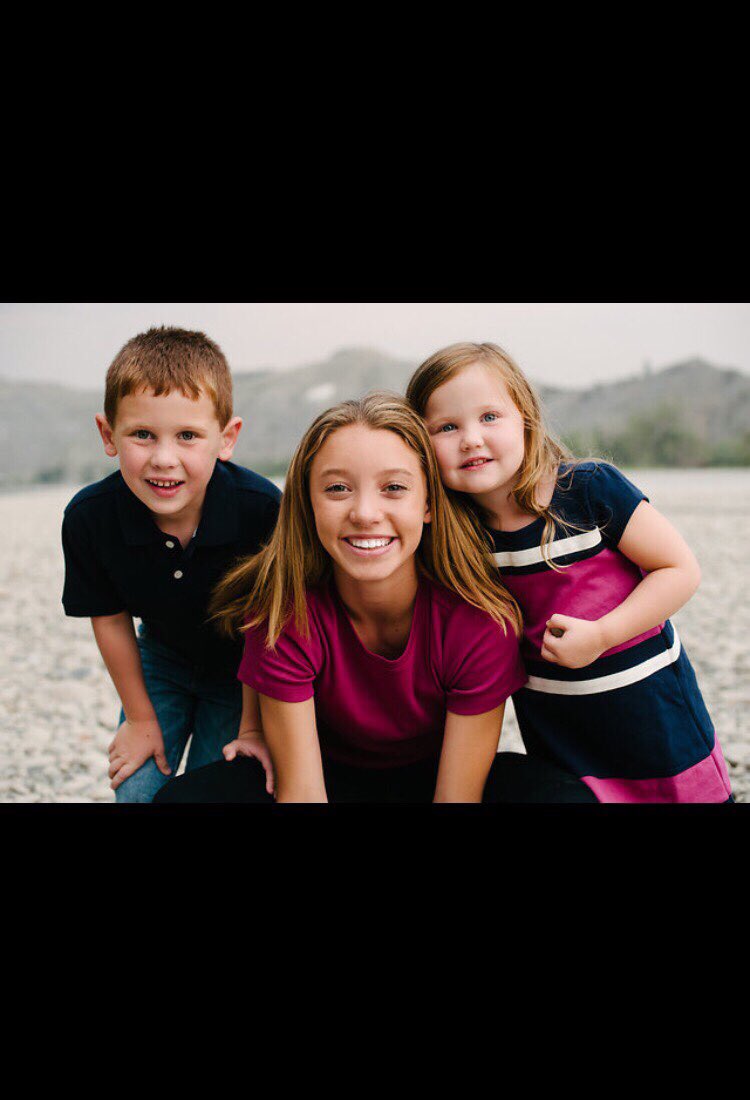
x=218, y=523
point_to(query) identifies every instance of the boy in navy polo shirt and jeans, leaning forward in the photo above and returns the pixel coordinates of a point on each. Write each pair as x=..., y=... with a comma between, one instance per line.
x=152, y=541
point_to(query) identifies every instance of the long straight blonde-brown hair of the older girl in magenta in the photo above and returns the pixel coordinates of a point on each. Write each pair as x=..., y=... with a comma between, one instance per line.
x=272, y=585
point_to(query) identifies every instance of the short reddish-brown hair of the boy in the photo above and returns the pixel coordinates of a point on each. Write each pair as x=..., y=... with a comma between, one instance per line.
x=167, y=359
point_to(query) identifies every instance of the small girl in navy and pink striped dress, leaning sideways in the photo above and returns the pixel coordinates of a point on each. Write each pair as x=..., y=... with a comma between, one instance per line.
x=597, y=570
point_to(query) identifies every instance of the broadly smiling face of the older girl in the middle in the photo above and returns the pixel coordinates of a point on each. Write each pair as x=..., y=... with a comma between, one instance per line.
x=370, y=501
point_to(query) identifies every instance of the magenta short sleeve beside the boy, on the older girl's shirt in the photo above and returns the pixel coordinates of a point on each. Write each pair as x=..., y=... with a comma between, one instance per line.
x=286, y=673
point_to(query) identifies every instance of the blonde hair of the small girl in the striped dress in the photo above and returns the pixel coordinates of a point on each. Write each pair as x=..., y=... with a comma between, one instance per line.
x=543, y=453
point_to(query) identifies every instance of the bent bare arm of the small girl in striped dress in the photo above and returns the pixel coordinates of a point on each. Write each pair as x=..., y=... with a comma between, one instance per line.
x=674, y=576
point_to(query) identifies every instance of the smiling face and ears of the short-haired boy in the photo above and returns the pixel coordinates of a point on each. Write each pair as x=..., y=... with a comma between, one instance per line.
x=169, y=447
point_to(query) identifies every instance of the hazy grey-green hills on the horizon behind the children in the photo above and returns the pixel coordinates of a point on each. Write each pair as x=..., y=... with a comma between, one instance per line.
x=690, y=414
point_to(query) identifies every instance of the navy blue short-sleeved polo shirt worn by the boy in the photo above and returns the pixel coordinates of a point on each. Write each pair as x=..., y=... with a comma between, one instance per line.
x=118, y=560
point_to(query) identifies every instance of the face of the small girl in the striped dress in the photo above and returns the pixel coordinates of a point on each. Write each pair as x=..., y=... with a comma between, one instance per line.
x=477, y=432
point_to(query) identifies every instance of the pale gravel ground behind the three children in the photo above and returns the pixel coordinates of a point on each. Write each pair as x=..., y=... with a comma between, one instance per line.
x=59, y=708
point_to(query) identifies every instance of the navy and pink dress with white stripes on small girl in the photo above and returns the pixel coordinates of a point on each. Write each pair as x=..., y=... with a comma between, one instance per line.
x=633, y=725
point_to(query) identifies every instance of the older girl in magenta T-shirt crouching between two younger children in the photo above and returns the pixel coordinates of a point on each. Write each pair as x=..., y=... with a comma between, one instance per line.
x=378, y=636
